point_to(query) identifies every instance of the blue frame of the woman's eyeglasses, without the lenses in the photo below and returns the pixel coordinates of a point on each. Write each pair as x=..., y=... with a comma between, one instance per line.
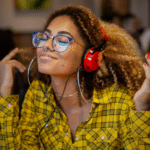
x=53, y=37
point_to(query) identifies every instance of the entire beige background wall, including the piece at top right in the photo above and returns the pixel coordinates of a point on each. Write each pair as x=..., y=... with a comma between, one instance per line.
x=34, y=20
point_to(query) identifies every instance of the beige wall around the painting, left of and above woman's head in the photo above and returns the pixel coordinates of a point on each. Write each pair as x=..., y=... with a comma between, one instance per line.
x=34, y=20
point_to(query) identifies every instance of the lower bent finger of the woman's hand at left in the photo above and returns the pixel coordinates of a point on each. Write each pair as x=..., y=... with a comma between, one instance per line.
x=16, y=64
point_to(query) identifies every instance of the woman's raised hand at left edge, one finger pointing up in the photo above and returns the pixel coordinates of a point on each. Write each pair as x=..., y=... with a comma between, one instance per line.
x=7, y=65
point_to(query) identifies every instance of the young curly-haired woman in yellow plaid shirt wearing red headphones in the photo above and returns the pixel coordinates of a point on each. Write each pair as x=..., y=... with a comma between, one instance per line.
x=91, y=90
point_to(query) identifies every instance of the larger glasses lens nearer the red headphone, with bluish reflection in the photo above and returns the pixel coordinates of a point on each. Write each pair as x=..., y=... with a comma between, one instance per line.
x=61, y=43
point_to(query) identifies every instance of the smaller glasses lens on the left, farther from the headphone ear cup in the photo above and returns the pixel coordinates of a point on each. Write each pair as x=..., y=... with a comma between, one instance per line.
x=39, y=39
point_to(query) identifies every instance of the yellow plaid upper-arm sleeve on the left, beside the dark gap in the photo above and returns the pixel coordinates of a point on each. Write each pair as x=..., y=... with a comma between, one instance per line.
x=26, y=136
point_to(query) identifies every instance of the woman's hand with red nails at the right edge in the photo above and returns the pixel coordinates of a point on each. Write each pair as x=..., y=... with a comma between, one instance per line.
x=142, y=97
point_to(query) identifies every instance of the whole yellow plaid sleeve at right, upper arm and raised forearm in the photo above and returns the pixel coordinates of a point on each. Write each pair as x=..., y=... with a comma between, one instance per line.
x=134, y=127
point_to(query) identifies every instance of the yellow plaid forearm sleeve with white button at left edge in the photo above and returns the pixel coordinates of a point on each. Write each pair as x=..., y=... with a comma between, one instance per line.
x=9, y=116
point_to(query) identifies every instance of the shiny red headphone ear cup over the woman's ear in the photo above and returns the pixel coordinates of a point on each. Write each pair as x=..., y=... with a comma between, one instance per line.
x=90, y=60
